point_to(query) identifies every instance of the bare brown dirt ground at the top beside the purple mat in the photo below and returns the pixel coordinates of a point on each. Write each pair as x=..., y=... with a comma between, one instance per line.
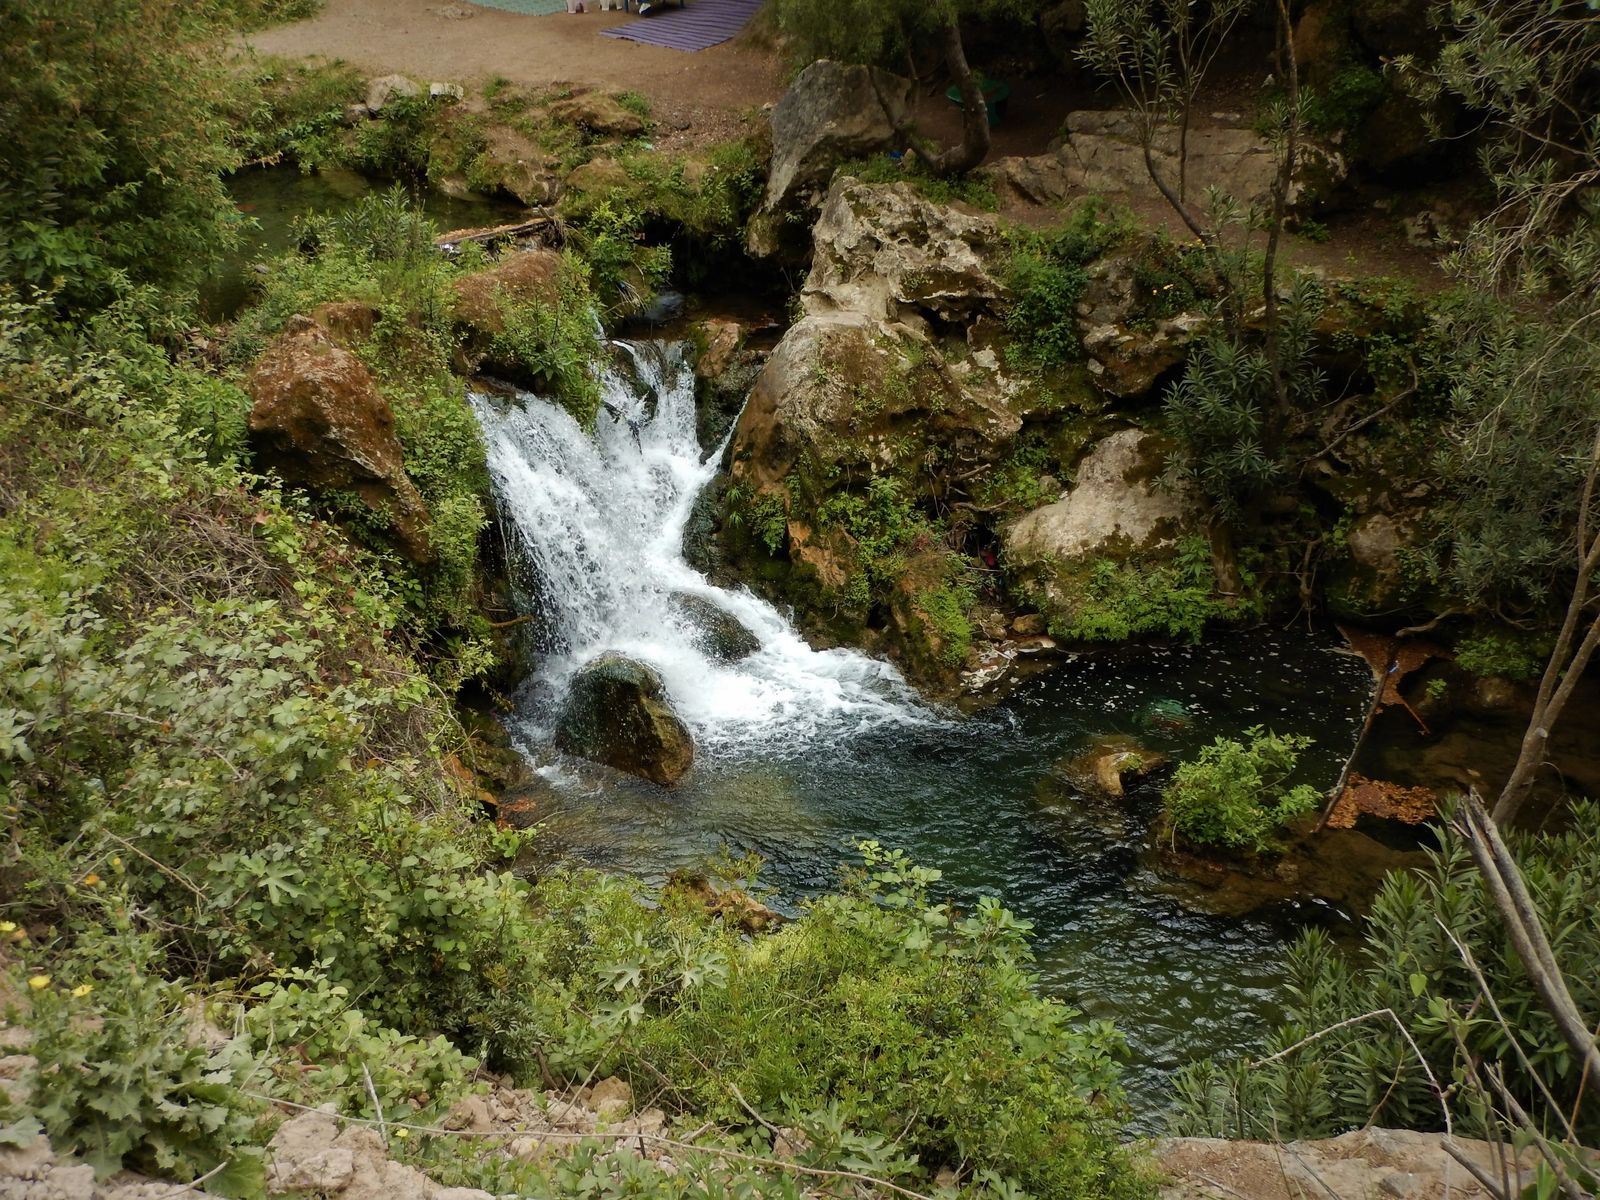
x=466, y=44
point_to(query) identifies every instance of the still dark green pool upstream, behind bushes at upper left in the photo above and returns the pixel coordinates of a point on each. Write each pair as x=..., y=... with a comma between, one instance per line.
x=276, y=199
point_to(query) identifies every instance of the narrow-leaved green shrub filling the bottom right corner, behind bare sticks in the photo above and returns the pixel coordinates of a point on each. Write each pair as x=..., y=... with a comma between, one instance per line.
x=1412, y=966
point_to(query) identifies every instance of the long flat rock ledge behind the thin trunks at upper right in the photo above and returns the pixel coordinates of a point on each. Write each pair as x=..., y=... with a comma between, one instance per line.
x=1100, y=153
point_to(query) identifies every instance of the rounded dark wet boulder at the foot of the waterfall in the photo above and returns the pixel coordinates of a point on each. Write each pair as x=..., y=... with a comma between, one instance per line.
x=617, y=714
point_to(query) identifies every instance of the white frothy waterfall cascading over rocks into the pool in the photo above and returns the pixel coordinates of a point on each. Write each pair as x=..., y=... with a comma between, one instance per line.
x=601, y=518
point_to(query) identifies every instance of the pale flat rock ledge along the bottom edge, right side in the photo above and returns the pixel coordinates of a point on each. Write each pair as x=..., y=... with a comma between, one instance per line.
x=1398, y=1164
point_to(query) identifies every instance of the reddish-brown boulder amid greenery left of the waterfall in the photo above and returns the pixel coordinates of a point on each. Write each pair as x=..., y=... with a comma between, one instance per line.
x=321, y=423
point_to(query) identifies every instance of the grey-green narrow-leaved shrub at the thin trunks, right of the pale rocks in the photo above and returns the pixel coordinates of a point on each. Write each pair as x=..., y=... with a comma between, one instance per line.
x=1225, y=412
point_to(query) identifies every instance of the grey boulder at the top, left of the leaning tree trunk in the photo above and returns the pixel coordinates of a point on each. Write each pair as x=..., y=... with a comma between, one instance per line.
x=833, y=113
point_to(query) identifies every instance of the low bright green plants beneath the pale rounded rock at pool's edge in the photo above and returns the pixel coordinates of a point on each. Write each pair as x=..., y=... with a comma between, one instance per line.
x=1119, y=601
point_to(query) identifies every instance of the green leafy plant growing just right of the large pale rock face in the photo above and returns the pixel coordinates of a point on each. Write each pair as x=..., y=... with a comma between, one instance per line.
x=1046, y=276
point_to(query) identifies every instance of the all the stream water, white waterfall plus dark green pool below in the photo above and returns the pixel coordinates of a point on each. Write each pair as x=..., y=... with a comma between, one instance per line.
x=802, y=753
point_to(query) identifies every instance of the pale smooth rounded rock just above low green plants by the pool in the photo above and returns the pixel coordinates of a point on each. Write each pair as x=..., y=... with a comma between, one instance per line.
x=1114, y=505
